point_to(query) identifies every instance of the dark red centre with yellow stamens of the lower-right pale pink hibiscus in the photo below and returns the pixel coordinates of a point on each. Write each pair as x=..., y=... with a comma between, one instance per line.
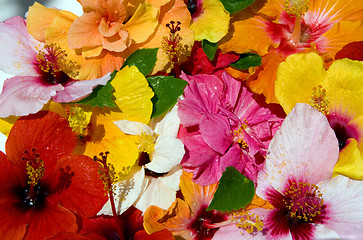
x=297, y=209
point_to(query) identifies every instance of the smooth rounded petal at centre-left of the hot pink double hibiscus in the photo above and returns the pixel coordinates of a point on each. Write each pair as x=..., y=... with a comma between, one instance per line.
x=216, y=132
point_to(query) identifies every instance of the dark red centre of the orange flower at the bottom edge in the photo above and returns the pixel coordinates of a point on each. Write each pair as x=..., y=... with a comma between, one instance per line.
x=204, y=224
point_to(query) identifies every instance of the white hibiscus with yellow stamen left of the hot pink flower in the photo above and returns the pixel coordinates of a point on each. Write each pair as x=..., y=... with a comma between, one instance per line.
x=154, y=179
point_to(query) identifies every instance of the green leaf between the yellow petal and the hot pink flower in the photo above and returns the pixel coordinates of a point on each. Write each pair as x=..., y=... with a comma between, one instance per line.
x=167, y=89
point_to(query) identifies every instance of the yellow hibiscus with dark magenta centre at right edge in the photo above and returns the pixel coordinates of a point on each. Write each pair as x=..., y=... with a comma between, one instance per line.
x=336, y=92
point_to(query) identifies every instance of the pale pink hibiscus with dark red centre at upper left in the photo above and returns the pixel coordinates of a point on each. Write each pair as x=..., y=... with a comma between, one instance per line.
x=40, y=72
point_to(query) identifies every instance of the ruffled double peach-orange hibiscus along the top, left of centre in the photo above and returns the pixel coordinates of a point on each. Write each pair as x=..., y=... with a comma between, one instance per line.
x=108, y=31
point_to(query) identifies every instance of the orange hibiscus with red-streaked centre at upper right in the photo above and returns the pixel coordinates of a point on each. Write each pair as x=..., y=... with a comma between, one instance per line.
x=276, y=29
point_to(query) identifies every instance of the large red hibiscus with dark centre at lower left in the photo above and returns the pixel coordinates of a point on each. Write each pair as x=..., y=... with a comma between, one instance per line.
x=43, y=186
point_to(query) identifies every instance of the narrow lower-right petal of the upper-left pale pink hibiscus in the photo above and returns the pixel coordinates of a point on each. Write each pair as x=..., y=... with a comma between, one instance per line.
x=79, y=89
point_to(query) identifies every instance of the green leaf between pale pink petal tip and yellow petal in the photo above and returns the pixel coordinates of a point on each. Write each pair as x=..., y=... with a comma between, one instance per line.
x=101, y=96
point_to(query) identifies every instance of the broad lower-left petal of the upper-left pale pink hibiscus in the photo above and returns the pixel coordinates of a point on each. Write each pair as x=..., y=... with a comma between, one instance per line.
x=24, y=95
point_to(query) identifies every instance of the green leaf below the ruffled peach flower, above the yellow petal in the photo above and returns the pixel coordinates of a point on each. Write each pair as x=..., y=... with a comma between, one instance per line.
x=143, y=59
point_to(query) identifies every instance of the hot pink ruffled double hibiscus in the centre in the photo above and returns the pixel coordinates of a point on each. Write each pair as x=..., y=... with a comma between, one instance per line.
x=224, y=124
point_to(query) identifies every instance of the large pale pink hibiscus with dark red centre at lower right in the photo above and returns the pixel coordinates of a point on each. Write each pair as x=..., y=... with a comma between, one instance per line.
x=296, y=180
